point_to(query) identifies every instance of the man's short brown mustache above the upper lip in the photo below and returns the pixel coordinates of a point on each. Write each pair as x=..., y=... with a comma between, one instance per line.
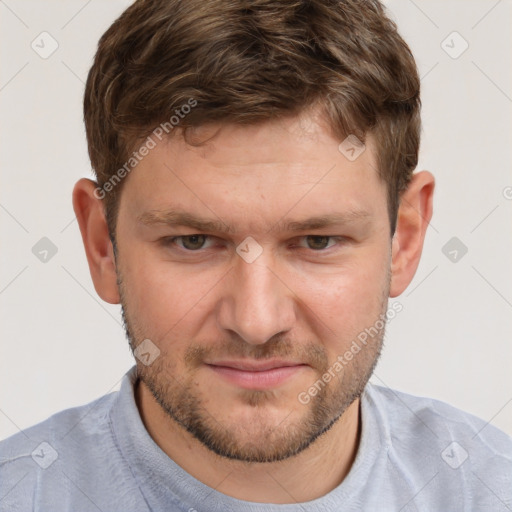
x=308, y=353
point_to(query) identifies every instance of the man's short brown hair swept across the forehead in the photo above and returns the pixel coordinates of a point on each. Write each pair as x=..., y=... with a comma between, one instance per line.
x=250, y=61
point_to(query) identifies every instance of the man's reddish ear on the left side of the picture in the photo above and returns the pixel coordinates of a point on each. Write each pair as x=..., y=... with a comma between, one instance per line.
x=98, y=247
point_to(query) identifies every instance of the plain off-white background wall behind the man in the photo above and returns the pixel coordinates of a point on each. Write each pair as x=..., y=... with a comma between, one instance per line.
x=62, y=346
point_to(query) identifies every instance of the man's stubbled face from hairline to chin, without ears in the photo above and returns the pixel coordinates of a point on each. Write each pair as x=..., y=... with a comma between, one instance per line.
x=253, y=263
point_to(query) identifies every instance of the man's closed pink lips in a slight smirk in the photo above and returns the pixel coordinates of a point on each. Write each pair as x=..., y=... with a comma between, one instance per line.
x=257, y=374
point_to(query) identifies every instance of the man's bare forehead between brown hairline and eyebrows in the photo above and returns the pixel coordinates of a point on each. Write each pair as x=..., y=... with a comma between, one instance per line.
x=266, y=171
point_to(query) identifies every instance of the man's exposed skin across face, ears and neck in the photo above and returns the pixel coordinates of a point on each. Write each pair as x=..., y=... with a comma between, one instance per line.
x=304, y=299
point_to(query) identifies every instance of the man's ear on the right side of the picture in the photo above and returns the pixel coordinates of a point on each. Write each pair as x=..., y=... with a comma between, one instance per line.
x=414, y=214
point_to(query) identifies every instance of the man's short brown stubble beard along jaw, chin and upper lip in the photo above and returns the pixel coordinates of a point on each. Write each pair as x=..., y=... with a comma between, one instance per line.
x=185, y=404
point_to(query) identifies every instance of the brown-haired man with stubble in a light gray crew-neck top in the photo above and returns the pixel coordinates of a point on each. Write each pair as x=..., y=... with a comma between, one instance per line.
x=255, y=207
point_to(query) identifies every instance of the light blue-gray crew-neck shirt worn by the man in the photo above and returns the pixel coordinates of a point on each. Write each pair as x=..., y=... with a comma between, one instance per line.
x=415, y=454
